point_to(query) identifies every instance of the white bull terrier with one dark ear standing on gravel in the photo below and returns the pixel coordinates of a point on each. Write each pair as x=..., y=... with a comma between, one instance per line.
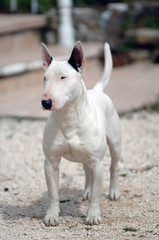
x=81, y=125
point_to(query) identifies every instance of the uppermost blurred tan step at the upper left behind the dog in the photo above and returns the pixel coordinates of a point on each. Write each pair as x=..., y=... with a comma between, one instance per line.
x=18, y=32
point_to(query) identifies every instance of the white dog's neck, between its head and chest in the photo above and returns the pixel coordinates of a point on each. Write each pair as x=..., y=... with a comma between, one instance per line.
x=71, y=114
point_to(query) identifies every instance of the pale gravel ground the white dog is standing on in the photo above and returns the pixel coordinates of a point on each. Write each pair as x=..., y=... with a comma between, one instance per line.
x=23, y=192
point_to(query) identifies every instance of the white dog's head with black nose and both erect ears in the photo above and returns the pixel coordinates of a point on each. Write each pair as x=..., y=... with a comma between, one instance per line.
x=62, y=79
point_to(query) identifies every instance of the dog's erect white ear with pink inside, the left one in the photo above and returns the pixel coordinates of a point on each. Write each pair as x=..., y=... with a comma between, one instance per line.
x=46, y=56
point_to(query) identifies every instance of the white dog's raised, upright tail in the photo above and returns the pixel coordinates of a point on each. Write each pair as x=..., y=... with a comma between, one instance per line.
x=107, y=69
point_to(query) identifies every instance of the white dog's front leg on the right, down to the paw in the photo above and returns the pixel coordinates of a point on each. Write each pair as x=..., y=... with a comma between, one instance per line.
x=94, y=217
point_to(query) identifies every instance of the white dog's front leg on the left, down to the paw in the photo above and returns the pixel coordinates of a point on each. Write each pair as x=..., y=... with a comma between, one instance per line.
x=51, y=168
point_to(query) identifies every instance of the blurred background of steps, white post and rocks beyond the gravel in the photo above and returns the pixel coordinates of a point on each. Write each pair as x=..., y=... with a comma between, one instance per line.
x=130, y=27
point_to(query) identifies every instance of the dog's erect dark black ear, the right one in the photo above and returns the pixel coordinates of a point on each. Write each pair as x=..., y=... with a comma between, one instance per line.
x=77, y=60
